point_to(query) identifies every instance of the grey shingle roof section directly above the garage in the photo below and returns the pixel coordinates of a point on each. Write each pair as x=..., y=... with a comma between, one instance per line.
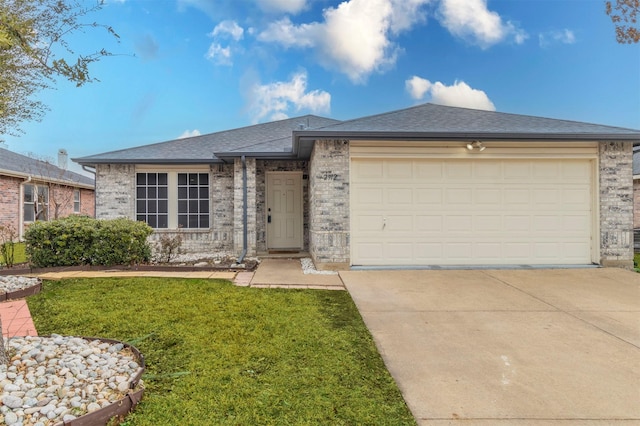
x=438, y=119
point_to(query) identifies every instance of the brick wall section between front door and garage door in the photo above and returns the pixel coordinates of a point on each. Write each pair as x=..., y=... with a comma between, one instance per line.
x=329, y=204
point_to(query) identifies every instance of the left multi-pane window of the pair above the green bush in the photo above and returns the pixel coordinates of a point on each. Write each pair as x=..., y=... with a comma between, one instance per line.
x=152, y=199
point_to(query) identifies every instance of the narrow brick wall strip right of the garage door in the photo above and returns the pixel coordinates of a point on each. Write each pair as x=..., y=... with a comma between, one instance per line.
x=616, y=204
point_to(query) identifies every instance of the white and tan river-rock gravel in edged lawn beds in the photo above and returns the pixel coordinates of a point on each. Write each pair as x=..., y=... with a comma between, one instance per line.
x=56, y=379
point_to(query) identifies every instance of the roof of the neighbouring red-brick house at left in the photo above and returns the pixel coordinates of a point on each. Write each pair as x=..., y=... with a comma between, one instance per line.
x=22, y=166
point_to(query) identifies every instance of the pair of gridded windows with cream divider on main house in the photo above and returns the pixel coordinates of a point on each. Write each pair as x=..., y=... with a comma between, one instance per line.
x=173, y=199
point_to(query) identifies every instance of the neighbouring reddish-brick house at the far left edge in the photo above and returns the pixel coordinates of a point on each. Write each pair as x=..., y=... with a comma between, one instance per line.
x=32, y=190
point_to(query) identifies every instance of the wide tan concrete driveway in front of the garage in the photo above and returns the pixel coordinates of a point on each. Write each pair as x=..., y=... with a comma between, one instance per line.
x=498, y=347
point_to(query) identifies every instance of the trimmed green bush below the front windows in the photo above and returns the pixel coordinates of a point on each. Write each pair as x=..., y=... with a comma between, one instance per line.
x=81, y=240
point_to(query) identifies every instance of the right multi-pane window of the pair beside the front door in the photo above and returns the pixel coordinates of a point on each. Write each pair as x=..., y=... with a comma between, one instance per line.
x=193, y=200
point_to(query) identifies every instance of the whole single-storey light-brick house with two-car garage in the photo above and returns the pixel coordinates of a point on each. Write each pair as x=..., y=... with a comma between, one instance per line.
x=426, y=185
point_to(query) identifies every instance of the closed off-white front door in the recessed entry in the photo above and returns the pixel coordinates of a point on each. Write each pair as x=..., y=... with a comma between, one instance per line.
x=284, y=210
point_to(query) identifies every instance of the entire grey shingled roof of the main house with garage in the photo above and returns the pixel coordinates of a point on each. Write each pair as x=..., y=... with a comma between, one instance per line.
x=293, y=138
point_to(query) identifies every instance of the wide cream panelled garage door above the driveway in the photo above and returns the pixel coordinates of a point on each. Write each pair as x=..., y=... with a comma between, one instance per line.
x=471, y=211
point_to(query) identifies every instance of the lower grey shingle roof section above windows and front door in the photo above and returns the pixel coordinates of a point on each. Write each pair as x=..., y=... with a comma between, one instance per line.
x=275, y=136
